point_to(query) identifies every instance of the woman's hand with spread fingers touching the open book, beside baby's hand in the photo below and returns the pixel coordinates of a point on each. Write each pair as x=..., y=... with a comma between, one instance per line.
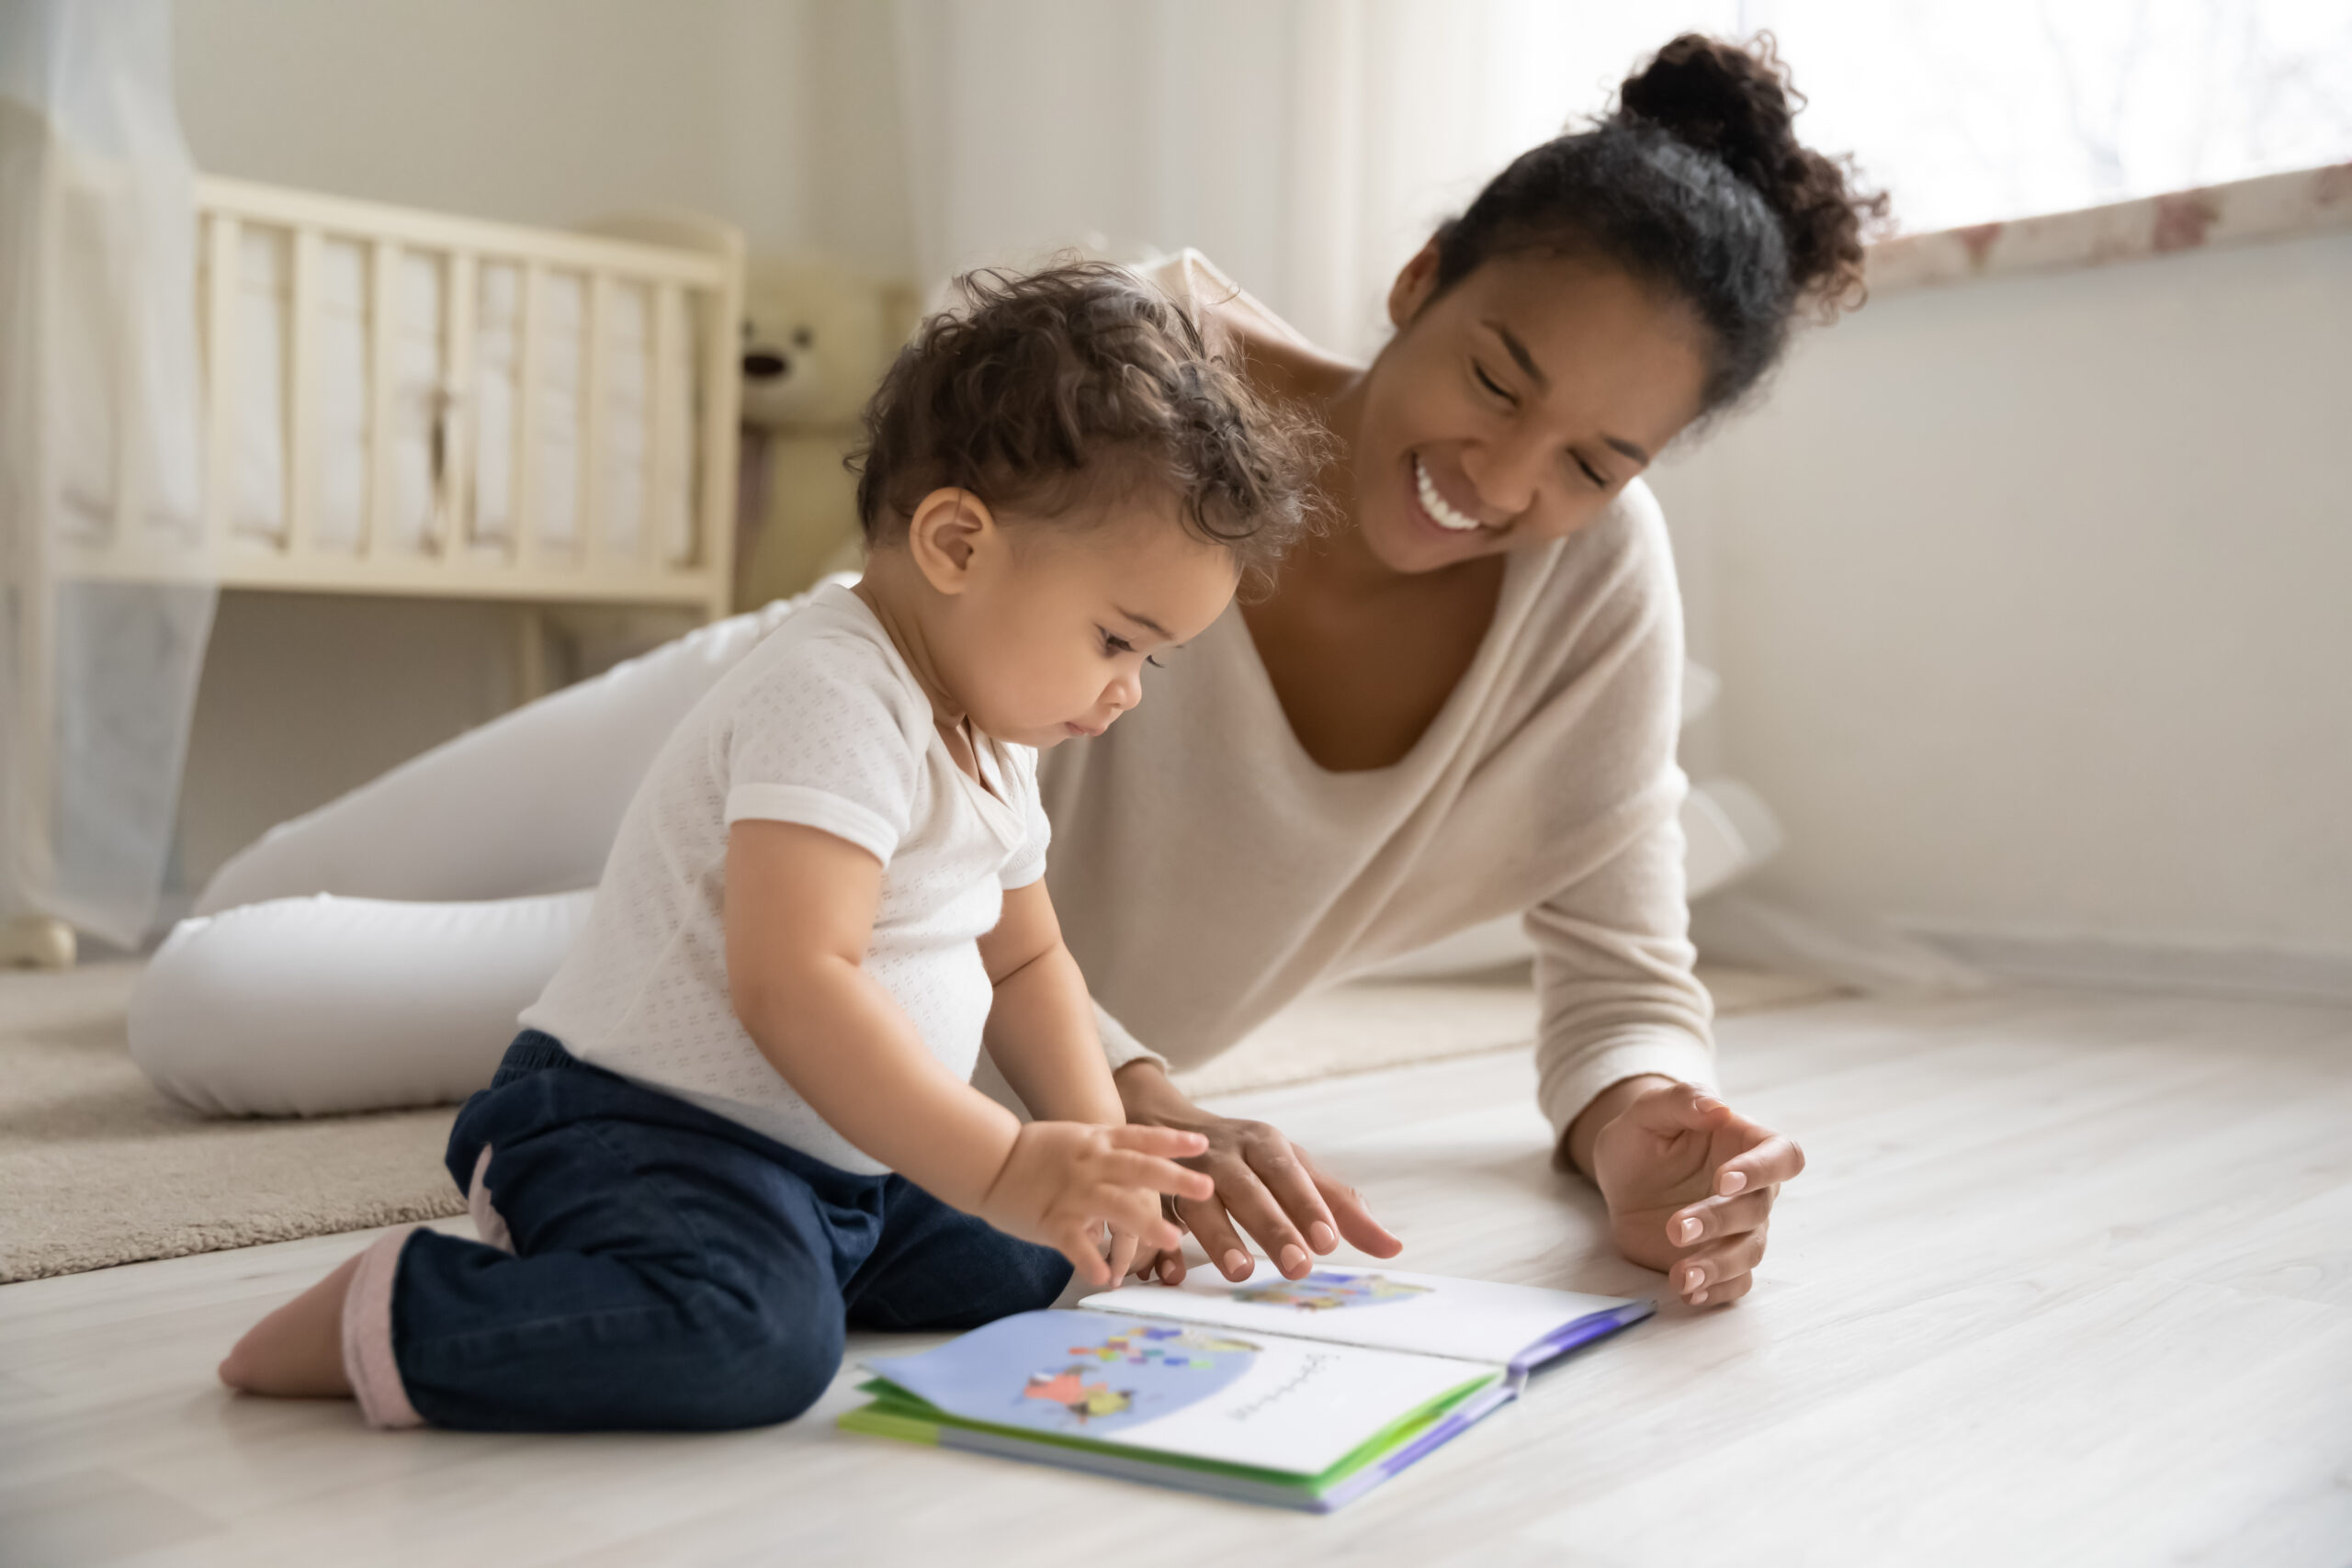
x=1267, y=1188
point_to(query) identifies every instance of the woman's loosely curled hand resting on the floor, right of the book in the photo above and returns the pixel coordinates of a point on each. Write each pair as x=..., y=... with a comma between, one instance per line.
x=1690, y=1184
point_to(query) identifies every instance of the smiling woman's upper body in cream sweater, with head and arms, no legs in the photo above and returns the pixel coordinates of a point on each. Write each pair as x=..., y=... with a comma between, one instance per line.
x=1459, y=702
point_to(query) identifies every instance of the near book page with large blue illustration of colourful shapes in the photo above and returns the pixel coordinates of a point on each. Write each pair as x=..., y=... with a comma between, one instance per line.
x=1144, y=1383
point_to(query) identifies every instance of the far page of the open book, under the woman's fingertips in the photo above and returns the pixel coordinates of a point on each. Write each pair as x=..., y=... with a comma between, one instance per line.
x=1377, y=1308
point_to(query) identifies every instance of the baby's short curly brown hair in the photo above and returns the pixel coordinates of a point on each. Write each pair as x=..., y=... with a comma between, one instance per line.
x=1071, y=391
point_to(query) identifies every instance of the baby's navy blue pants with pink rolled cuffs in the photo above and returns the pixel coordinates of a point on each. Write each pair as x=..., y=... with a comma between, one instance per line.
x=671, y=1271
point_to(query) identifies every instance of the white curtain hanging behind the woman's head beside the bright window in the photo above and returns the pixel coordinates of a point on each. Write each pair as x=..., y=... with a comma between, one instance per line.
x=1307, y=147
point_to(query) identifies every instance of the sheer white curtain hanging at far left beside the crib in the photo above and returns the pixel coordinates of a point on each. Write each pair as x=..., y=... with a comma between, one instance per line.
x=105, y=610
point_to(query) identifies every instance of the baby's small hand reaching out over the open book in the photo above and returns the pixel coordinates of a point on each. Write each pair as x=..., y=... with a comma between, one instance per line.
x=1067, y=1181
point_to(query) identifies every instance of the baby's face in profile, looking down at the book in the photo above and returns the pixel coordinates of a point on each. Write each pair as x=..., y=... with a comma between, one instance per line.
x=1057, y=631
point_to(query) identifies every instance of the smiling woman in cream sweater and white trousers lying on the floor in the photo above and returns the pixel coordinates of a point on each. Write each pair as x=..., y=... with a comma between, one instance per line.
x=1457, y=704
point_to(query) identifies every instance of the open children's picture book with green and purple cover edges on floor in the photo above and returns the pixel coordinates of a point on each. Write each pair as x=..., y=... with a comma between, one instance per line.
x=1302, y=1393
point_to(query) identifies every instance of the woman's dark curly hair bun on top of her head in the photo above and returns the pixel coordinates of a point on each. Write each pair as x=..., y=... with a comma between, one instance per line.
x=1737, y=105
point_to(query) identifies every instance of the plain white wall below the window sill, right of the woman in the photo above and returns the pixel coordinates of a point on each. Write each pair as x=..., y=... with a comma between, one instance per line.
x=2033, y=603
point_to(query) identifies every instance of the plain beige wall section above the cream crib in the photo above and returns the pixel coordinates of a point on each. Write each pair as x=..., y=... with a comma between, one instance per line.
x=554, y=112
